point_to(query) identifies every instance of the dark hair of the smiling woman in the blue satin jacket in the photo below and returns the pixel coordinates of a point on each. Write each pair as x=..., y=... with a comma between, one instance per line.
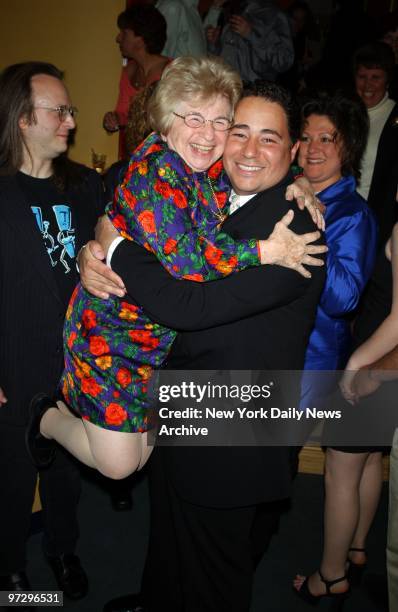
x=349, y=116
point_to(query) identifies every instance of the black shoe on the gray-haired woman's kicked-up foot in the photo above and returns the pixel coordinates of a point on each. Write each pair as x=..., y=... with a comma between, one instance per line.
x=40, y=449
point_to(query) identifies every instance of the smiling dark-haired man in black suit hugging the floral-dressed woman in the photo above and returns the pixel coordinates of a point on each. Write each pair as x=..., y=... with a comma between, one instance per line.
x=213, y=508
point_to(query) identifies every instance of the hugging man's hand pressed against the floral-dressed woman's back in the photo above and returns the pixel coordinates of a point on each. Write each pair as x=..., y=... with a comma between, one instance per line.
x=96, y=277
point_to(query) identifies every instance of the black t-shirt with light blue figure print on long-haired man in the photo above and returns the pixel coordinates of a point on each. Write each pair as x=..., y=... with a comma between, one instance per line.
x=54, y=219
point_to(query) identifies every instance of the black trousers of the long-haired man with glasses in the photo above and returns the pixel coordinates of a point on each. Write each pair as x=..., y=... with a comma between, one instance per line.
x=59, y=493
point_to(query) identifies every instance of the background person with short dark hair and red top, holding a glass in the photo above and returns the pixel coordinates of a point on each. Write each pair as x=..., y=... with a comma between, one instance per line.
x=142, y=36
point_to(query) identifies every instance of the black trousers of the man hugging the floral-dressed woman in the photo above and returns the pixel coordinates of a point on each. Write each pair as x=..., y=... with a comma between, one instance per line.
x=201, y=559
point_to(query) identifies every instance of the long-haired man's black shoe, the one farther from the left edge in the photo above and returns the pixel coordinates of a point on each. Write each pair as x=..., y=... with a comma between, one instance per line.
x=70, y=575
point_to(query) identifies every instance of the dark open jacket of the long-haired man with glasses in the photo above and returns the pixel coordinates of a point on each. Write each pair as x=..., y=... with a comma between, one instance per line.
x=32, y=310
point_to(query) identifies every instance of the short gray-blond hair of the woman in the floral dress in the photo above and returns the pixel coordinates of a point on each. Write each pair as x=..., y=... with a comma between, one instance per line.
x=192, y=80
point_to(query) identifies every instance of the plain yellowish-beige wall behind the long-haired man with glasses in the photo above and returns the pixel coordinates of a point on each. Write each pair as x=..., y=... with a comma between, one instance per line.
x=78, y=36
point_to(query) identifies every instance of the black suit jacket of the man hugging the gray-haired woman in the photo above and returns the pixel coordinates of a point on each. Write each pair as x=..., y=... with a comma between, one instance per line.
x=268, y=312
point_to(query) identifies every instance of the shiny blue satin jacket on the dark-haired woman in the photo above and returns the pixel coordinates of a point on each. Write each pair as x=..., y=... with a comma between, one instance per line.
x=351, y=236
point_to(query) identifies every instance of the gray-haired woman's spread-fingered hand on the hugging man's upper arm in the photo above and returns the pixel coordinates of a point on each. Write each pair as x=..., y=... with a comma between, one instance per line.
x=285, y=248
